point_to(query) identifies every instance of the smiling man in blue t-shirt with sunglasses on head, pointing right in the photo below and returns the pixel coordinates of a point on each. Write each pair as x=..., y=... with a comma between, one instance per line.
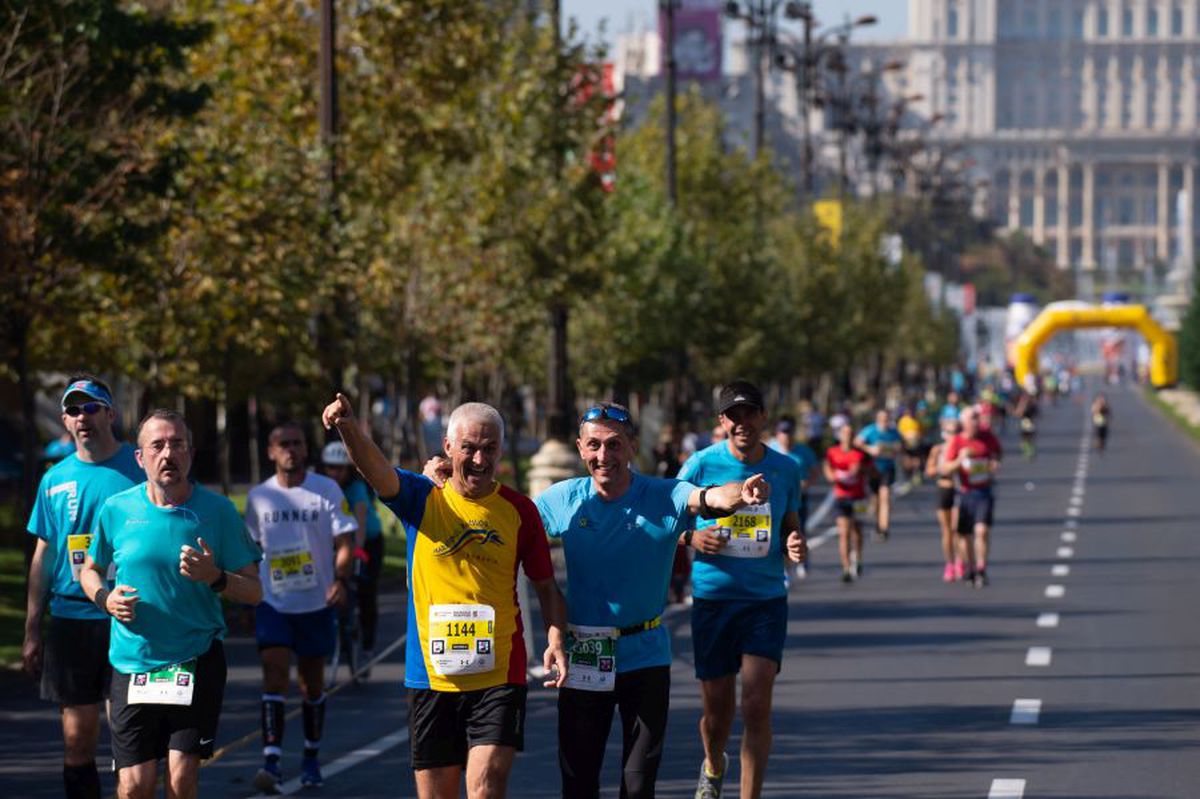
x=620, y=531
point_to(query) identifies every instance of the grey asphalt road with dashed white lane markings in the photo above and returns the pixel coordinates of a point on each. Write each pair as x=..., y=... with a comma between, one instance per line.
x=899, y=686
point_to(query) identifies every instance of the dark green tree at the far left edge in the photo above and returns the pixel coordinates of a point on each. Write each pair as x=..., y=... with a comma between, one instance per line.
x=91, y=92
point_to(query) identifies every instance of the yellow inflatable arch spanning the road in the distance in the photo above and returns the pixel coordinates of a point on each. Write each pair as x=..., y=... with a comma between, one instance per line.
x=1165, y=357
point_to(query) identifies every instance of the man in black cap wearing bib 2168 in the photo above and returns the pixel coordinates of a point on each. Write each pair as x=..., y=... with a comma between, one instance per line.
x=740, y=611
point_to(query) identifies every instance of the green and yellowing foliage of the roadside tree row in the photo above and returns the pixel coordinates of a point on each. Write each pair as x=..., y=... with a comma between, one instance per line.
x=466, y=205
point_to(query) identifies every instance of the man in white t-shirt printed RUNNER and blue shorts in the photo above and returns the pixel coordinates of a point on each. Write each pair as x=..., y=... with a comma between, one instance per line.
x=308, y=540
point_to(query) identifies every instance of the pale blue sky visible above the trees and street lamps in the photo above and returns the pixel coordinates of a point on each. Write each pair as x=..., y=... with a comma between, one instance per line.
x=626, y=15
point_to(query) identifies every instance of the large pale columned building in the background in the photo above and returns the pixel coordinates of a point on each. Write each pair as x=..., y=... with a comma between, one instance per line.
x=1081, y=115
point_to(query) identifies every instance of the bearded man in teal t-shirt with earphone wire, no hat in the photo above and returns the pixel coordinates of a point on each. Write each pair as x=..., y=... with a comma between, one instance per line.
x=177, y=548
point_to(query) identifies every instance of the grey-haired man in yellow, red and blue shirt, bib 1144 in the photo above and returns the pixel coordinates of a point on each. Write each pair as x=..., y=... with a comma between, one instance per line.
x=466, y=659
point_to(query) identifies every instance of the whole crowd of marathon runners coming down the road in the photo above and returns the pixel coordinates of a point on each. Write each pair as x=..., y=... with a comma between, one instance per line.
x=134, y=560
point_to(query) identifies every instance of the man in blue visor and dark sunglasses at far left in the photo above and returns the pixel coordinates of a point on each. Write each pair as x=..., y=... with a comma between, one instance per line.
x=73, y=657
